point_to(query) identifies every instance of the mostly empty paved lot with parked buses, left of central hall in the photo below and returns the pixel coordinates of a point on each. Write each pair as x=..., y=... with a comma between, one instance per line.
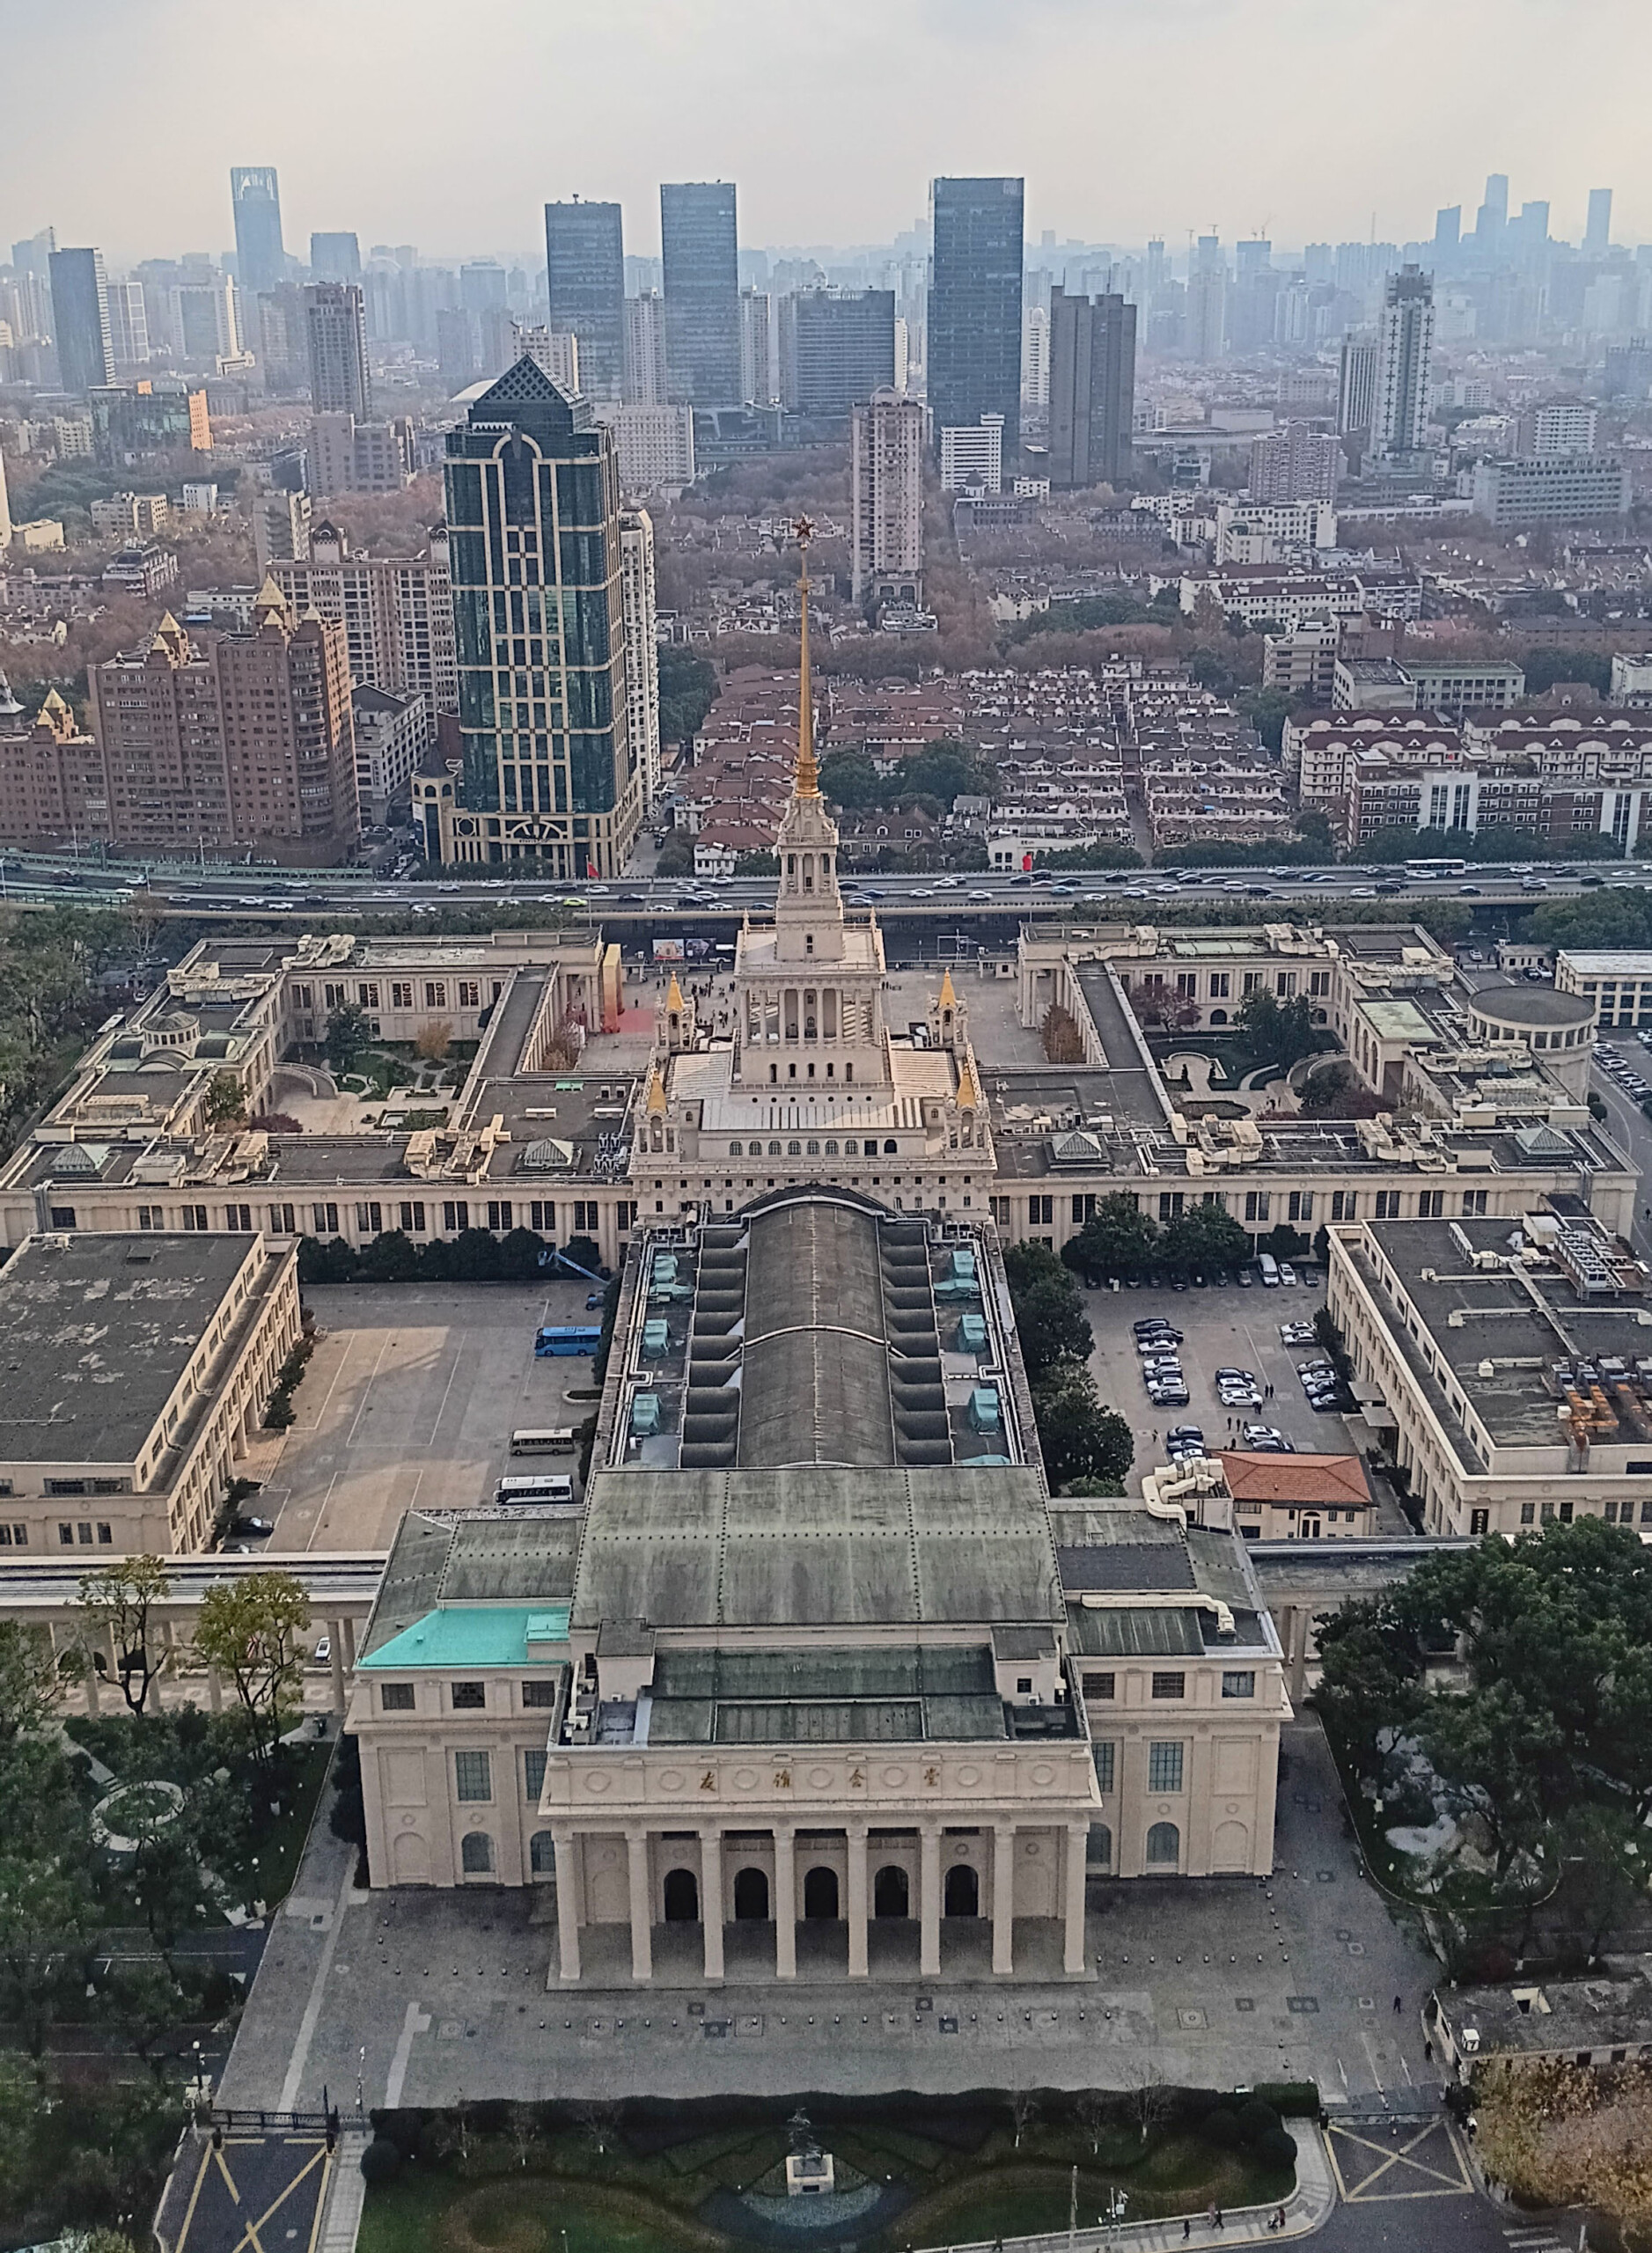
x=411, y=1400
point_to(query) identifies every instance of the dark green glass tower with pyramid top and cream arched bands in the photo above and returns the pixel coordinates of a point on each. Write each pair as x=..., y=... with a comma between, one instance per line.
x=535, y=553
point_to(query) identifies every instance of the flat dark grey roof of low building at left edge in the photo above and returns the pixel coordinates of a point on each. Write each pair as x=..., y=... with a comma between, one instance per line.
x=96, y=1333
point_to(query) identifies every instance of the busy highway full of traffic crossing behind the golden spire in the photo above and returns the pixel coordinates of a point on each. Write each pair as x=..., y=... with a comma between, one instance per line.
x=33, y=880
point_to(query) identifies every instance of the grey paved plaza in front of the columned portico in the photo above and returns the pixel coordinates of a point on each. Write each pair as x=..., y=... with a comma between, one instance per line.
x=1205, y=1984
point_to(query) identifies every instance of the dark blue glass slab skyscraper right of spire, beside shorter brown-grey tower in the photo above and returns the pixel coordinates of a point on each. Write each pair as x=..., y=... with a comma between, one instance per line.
x=975, y=305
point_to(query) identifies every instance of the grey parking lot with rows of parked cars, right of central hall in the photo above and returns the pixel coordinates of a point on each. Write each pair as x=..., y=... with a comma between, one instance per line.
x=1223, y=1328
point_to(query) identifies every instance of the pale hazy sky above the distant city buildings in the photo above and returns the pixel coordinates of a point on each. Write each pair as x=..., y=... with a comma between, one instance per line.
x=452, y=125
